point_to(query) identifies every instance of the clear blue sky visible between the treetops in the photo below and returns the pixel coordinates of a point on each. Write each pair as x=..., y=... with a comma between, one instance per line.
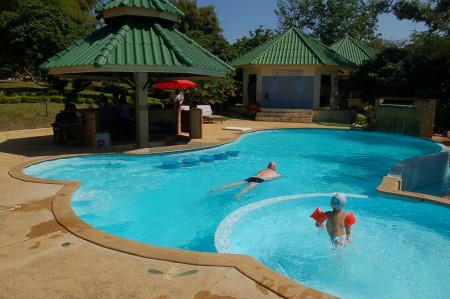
x=238, y=17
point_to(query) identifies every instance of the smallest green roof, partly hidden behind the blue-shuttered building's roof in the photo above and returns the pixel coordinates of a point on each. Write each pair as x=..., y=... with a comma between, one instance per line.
x=354, y=50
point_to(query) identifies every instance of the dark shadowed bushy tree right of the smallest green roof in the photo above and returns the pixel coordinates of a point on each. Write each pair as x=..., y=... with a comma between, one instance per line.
x=419, y=70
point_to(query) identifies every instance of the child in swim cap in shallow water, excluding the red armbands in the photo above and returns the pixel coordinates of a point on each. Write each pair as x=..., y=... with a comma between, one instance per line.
x=339, y=233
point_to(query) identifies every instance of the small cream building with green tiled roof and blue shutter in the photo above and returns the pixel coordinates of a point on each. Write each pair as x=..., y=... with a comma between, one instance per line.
x=292, y=71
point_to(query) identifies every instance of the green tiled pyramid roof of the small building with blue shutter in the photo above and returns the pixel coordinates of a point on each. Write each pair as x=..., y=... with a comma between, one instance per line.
x=293, y=48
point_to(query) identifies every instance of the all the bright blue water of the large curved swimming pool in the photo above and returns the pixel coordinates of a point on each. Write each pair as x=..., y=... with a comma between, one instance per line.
x=399, y=249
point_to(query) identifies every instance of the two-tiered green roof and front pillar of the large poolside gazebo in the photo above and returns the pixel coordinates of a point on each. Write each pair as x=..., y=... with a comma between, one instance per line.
x=138, y=45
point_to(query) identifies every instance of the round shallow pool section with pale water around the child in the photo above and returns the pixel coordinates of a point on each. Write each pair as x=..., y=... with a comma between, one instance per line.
x=399, y=248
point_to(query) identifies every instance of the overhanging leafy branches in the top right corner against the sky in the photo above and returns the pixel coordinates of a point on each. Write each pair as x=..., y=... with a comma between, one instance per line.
x=434, y=13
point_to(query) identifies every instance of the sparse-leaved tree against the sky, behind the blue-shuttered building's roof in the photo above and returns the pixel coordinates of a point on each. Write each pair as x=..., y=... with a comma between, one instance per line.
x=331, y=20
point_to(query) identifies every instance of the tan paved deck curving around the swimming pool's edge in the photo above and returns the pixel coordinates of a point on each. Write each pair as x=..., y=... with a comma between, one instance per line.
x=40, y=258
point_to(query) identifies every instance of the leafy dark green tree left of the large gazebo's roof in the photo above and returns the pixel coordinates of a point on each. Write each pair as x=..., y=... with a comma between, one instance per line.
x=35, y=30
